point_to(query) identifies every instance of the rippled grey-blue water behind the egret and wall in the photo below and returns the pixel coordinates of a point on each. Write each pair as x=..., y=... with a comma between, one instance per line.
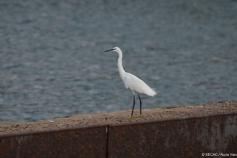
x=52, y=62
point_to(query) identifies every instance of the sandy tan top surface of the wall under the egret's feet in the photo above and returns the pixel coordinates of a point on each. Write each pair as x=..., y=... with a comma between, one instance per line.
x=120, y=118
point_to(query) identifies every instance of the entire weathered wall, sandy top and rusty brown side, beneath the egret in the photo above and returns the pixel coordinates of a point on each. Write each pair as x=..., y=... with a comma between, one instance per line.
x=175, y=132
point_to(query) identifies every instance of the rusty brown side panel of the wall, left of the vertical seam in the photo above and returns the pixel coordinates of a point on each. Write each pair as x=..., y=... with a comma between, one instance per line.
x=82, y=143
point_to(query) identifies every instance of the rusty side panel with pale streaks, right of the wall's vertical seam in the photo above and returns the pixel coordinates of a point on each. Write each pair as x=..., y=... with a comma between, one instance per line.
x=175, y=138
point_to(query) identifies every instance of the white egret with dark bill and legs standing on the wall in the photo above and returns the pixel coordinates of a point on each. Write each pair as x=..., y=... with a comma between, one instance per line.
x=132, y=82
